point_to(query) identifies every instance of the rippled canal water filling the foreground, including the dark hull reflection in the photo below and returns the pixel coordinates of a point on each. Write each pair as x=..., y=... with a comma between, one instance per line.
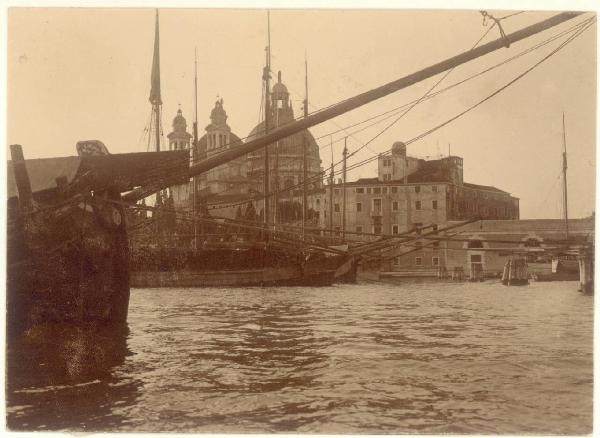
x=376, y=358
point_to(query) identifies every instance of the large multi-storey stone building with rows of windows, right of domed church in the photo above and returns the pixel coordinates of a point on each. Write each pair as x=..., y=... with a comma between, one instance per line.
x=409, y=192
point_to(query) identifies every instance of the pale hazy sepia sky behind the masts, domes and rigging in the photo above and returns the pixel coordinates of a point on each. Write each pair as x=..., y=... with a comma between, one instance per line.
x=77, y=74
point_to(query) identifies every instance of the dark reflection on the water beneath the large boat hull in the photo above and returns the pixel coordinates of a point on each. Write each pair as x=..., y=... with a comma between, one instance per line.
x=60, y=377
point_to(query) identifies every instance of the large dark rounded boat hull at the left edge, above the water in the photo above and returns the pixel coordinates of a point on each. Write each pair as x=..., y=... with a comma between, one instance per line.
x=68, y=265
